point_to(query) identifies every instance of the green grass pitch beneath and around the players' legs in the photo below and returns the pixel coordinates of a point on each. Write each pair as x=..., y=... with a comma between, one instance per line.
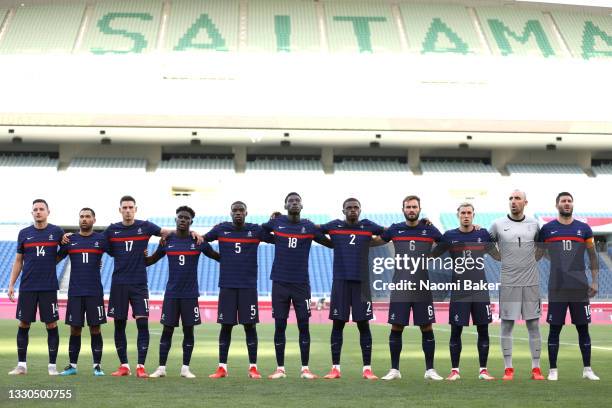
x=173, y=391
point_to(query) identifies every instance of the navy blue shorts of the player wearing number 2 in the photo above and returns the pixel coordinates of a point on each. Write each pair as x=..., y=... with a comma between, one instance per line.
x=347, y=295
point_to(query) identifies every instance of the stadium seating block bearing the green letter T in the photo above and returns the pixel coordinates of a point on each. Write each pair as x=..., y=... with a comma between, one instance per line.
x=364, y=27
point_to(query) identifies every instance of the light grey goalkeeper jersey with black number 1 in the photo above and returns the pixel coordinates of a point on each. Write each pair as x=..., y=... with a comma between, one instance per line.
x=517, y=245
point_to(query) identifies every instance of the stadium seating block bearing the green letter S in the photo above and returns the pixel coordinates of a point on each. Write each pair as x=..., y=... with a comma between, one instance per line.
x=121, y=27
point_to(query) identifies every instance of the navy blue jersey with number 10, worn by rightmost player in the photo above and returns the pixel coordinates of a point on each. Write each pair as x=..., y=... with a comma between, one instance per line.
x=566, y=245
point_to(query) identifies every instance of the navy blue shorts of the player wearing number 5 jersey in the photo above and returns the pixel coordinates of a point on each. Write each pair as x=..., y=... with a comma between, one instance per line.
x=238, y=305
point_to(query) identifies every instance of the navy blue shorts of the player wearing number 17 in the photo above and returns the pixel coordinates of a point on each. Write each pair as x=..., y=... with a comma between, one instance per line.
x=122, y=296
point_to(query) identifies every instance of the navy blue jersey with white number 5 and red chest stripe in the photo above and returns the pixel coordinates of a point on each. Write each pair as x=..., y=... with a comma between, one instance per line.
x=238, y=251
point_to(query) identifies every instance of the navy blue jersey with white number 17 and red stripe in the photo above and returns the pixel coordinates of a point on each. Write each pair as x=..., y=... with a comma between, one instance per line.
x=127, y=245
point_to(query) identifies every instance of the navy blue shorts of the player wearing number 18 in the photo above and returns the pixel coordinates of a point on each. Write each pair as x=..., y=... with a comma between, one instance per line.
x=284, y=293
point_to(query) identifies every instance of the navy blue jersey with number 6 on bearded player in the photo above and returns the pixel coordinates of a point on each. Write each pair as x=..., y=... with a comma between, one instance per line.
x=412, y=245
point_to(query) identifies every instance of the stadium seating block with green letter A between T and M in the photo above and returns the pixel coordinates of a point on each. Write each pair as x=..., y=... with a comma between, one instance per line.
x=440, y=28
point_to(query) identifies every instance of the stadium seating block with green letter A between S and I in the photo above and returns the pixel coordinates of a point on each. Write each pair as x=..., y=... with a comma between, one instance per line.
x=195, y=26
